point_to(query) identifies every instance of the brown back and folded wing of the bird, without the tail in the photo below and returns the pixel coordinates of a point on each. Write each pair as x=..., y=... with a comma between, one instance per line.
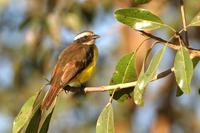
x=71, y=61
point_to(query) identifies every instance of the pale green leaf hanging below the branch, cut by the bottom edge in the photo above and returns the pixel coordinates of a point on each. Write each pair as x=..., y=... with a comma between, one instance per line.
x=105, y=122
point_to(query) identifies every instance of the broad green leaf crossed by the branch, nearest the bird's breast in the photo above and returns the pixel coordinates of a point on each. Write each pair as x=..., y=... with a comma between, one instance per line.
x=125, y=72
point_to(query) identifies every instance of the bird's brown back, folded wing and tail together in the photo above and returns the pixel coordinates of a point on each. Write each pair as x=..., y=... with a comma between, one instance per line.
x=71, y=61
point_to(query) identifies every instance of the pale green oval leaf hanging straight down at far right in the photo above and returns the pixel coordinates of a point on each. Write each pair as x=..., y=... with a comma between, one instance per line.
x=183, y=69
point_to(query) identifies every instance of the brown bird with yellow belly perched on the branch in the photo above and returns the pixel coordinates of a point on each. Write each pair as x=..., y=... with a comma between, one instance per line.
x=75, y=65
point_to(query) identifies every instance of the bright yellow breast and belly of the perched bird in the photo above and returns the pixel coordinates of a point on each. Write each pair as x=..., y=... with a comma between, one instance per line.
x=87, y=72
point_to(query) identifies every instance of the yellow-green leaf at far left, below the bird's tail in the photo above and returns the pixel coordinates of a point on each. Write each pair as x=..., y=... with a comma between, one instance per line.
x=24, y=115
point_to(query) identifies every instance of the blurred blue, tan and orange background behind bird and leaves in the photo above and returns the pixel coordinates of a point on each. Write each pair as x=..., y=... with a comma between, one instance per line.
x=32, y=34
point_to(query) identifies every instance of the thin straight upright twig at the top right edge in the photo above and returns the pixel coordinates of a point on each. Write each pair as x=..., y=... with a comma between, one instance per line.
x=184, y=22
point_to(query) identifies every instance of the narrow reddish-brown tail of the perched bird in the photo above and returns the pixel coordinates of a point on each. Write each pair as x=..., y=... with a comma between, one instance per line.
x=50, y=97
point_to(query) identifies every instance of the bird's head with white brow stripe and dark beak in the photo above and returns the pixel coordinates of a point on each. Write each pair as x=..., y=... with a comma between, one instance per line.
x=86, y=38
